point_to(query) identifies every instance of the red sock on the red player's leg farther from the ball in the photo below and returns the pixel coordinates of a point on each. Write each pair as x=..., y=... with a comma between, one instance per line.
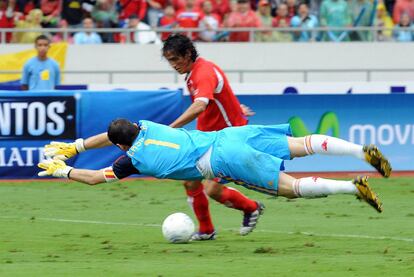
x=233, y=198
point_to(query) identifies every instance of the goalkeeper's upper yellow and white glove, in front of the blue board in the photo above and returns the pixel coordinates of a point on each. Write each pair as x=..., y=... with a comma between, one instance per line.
x=63, y=150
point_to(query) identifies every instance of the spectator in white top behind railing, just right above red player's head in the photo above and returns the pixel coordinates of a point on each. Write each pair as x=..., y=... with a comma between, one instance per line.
x=209, y=23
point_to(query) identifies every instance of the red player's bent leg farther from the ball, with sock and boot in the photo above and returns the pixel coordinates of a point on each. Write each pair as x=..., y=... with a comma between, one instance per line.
x=233, y=198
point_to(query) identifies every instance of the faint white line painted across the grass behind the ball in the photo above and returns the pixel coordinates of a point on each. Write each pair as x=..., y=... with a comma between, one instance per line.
x=310, y=234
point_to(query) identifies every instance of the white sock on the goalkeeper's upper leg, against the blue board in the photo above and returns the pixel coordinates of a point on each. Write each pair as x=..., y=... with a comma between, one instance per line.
x=327, y=145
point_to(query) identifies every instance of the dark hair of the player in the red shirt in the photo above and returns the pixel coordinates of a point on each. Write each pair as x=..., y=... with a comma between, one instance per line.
x=180, y=45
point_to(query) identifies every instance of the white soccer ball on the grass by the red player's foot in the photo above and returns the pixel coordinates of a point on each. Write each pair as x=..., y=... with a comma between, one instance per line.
x=178, y=228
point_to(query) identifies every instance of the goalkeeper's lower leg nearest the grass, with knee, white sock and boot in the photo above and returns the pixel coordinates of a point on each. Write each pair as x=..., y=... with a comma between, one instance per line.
x=315, y=187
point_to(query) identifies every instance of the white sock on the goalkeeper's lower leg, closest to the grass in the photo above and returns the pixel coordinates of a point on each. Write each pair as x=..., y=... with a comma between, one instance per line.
x=314, y=187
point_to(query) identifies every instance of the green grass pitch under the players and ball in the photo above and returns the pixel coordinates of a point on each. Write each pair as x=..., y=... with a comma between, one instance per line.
x=70, y=229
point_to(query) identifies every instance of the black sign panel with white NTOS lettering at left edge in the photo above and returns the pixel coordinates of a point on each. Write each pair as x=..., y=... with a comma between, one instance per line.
x=36, y=118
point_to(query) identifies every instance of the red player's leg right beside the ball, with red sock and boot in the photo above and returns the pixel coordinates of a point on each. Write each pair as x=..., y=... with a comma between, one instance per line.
x=198, y=201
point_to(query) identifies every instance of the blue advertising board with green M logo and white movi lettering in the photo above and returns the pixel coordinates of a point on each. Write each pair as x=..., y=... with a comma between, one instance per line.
x=385, y=120
